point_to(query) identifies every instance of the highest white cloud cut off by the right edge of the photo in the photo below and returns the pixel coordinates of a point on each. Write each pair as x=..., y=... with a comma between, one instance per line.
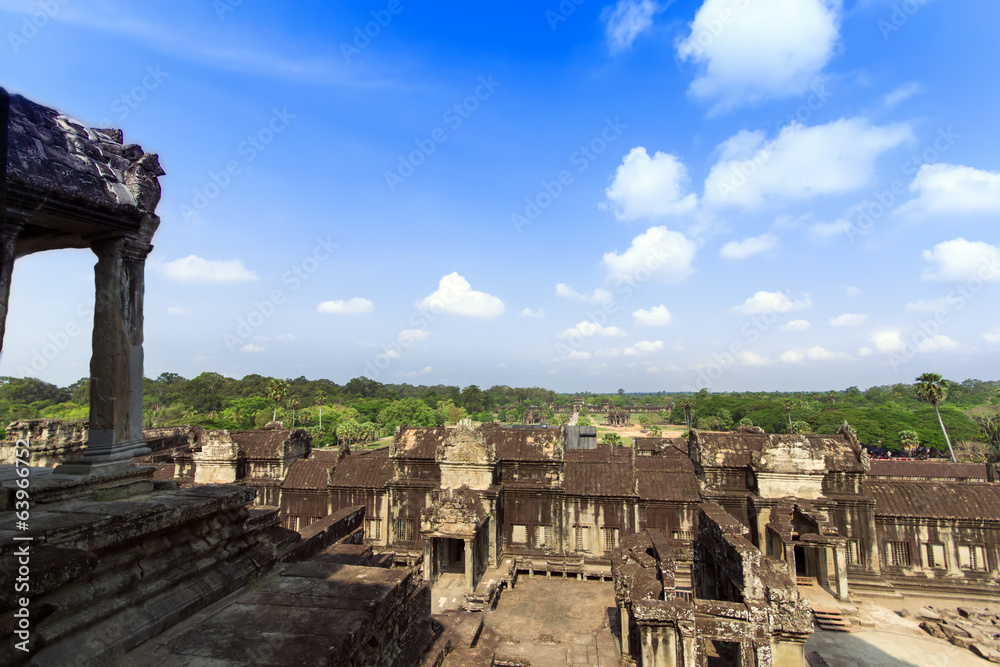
x=949, y=189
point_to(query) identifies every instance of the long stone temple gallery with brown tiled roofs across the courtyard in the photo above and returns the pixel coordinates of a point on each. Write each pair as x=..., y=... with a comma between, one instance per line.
x=464, y=498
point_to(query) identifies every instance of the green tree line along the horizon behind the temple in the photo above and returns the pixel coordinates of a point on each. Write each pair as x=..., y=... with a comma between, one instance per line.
x=964, y=416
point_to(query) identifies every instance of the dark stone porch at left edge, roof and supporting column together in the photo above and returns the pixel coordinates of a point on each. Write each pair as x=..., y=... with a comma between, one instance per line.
x=64, y=185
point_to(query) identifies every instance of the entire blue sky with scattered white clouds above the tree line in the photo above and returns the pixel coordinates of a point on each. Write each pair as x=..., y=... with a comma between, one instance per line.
x=766, y=195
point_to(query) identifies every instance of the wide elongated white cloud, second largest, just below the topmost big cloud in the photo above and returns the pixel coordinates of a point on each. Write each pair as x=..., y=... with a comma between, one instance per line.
x=800, y=163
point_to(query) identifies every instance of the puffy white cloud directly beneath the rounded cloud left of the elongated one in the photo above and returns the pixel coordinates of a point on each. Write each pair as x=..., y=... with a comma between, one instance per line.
x=658, y=253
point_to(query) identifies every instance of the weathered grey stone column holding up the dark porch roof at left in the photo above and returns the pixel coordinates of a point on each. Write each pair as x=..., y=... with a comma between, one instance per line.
x=116, y=361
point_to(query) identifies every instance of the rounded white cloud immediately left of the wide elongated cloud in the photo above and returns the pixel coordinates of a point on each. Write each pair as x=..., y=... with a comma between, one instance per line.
x=647, y=187
